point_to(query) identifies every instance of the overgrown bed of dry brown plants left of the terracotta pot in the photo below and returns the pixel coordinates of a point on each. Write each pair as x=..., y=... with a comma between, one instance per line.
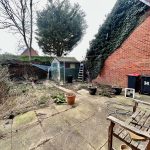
x=24, y=97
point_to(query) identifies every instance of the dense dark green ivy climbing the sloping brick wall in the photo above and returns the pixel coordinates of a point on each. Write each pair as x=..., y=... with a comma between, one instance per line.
x=125, y=16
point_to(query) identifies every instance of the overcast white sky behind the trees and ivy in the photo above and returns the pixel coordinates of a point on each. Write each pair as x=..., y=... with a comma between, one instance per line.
x=95, y=10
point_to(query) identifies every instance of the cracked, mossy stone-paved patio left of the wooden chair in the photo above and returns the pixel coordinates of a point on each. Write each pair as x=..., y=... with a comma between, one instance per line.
x=60, y=127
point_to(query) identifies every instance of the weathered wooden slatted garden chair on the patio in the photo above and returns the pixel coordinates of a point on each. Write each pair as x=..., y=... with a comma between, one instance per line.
x=137, y=126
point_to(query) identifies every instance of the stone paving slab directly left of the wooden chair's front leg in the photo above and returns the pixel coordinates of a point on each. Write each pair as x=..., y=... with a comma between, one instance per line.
x=95, y=129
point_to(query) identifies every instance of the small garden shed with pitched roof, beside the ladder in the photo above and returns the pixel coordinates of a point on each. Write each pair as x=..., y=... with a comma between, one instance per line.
x=62, y=67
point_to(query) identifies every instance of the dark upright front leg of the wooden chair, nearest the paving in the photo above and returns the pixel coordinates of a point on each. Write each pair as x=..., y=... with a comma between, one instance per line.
x=110, y=135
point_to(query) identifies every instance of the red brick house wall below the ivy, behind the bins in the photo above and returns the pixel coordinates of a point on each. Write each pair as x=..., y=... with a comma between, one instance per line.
x=133, y=56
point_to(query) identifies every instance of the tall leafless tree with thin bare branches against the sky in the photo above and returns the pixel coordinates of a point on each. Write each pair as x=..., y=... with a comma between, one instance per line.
x=17, y=15
